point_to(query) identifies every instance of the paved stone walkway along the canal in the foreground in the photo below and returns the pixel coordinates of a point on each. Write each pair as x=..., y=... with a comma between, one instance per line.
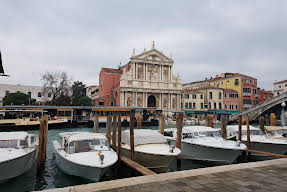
x=264, y=176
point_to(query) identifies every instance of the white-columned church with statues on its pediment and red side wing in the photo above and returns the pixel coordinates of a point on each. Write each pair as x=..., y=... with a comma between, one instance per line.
x=147, y=80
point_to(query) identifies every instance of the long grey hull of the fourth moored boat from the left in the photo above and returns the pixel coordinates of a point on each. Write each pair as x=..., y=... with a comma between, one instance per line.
x=206, y=153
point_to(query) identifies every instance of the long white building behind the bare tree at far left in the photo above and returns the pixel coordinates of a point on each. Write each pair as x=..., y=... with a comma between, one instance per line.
x=35, y=92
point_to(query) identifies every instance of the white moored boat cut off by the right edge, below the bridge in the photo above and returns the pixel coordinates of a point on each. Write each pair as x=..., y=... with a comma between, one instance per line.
x=267, y=142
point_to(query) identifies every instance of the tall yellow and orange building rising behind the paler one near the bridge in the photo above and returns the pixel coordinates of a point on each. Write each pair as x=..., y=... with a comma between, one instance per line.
x=246, y=87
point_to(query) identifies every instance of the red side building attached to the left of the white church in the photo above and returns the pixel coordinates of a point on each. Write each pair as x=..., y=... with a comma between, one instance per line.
x=109, y=82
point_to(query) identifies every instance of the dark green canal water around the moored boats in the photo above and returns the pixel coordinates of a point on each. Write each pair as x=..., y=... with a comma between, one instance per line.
x=52, y=177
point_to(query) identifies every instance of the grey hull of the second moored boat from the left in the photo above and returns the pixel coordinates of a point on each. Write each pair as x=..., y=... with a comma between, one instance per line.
x=71, y=168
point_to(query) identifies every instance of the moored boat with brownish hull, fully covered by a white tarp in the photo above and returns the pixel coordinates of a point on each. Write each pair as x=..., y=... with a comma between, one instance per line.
x=151, y=149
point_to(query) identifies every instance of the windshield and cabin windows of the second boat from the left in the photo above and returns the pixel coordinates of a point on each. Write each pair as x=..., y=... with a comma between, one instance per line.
x=88, y=145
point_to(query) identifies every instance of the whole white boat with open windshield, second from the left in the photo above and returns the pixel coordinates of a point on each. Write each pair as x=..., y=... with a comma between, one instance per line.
x=84, y=154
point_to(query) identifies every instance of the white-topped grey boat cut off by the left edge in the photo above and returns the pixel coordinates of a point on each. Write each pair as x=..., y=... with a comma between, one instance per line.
x=18, y=153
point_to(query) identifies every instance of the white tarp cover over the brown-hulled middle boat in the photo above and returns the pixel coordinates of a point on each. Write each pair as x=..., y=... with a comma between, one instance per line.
x=143, y=136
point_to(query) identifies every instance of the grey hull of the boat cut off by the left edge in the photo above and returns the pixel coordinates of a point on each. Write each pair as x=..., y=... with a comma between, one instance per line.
x=18, y=166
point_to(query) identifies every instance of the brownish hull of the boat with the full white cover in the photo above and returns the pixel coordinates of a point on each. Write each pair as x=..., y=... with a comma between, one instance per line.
x=157, y=163
